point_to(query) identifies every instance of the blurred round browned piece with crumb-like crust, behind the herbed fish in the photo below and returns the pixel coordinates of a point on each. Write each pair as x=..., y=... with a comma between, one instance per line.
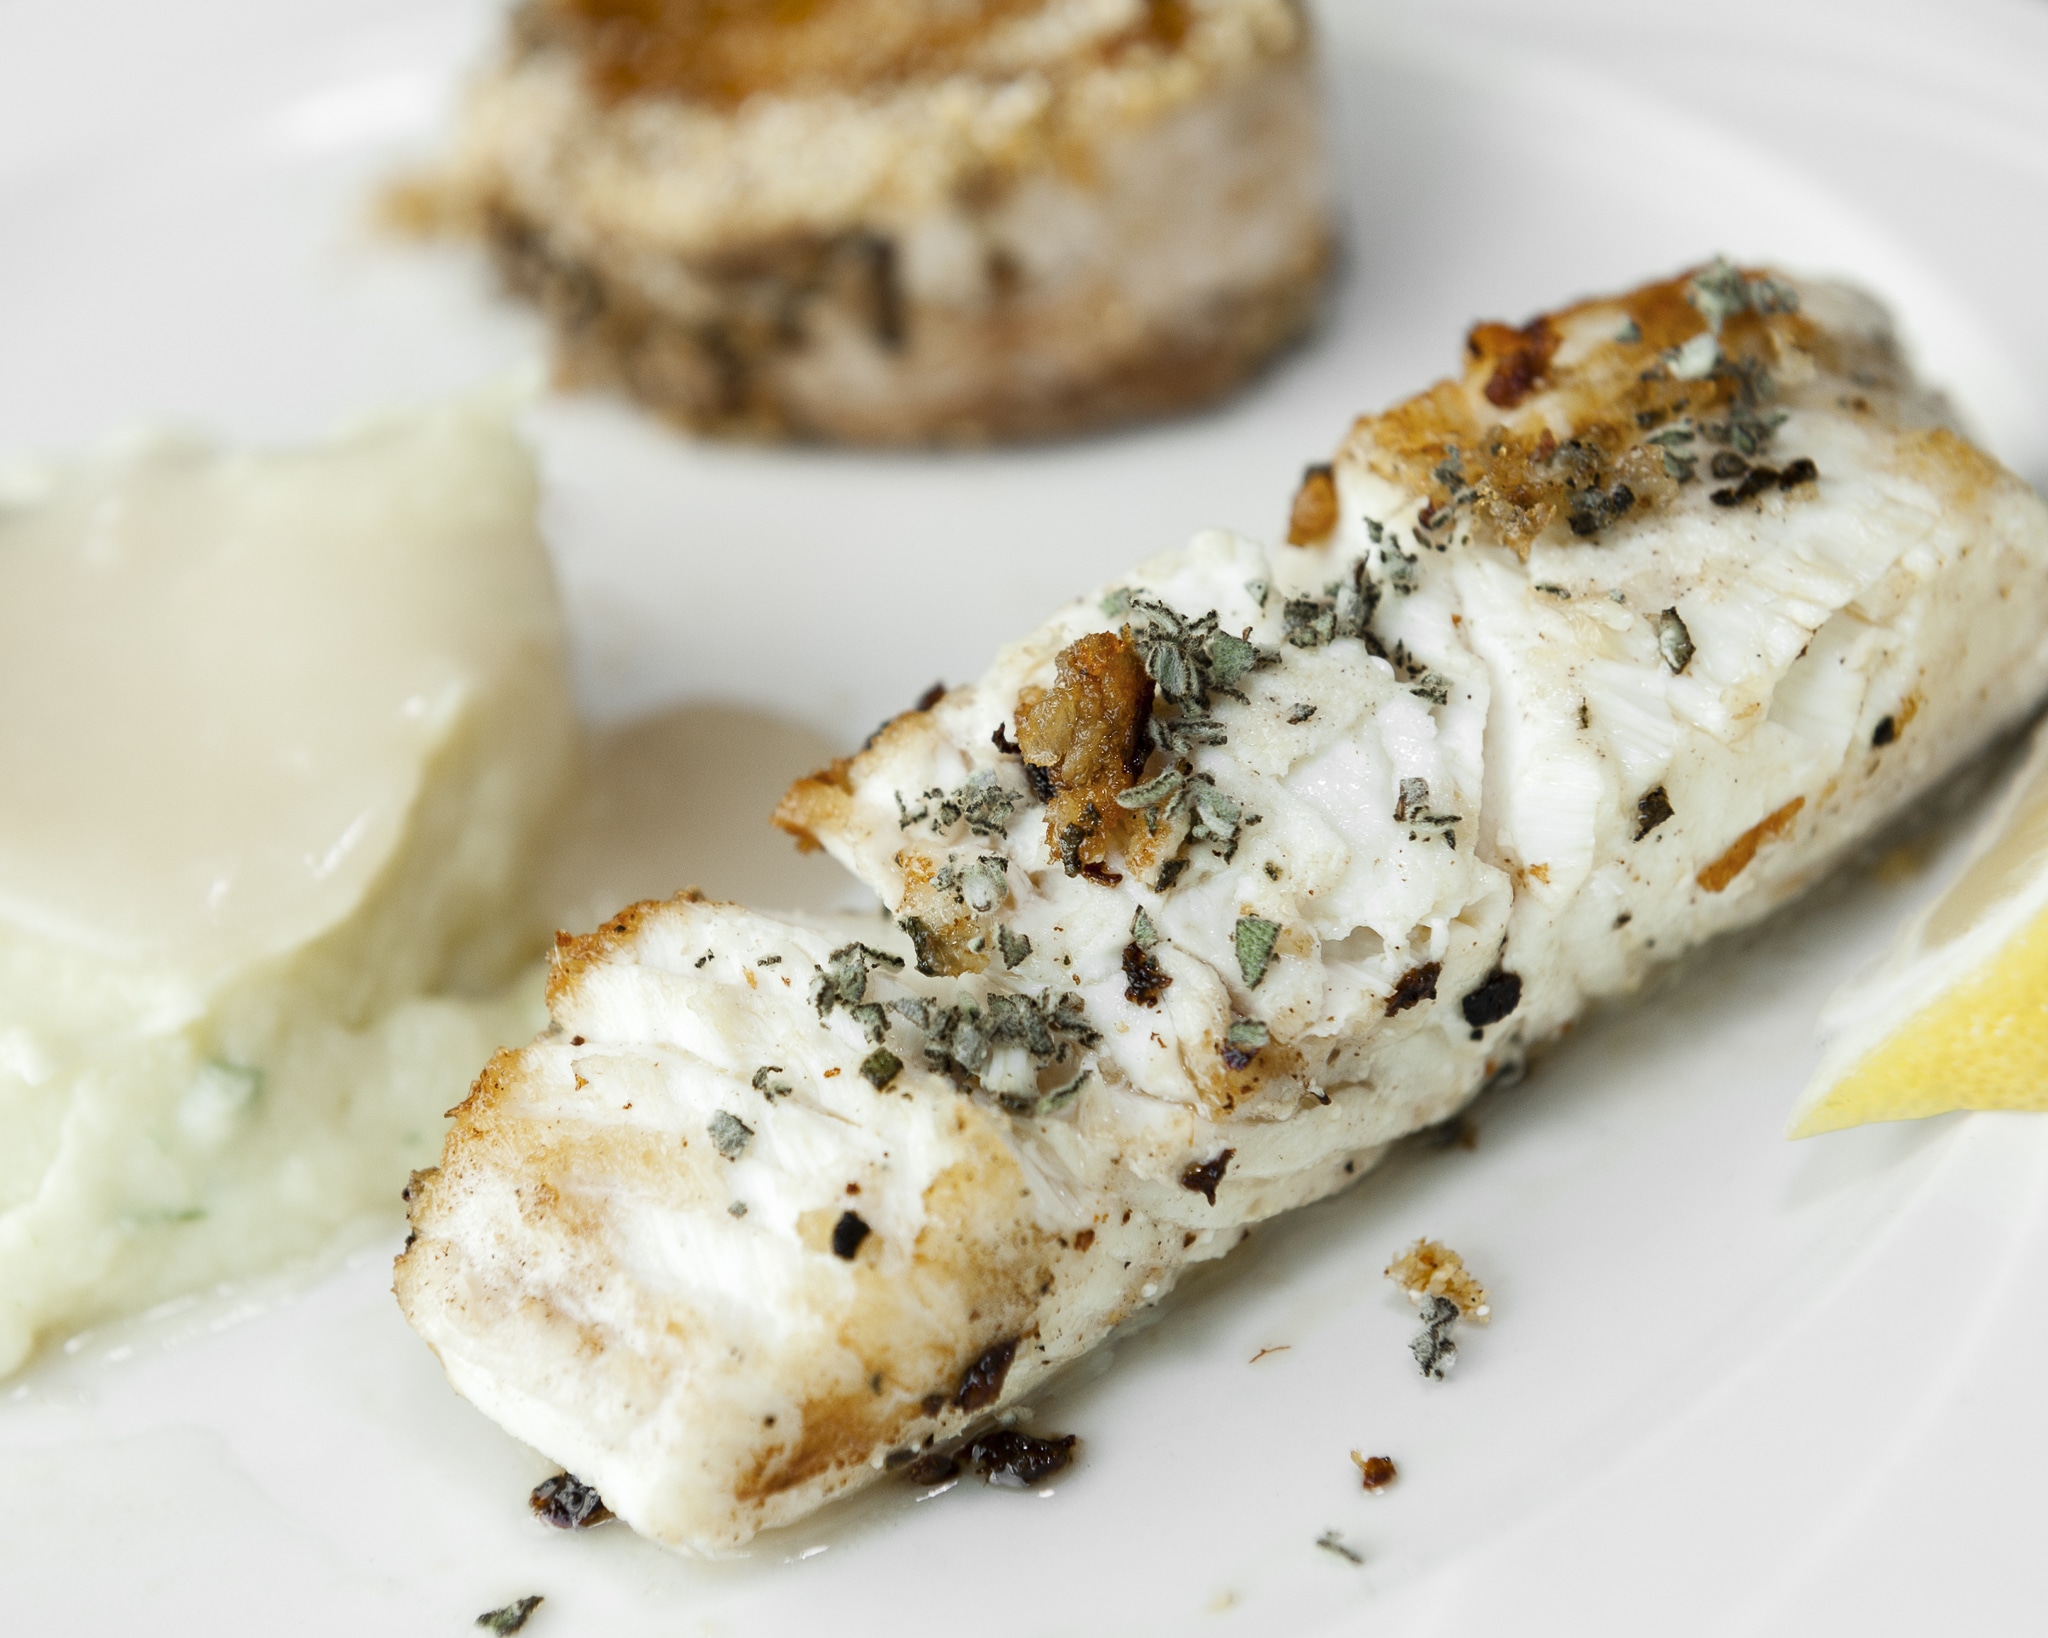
x=906, y=220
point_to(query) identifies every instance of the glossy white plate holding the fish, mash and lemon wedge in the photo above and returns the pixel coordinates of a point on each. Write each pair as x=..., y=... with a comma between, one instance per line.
x=1732, y=1383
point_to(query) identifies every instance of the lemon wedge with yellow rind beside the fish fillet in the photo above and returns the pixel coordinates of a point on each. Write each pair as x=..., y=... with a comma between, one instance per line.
x=1957, y=1017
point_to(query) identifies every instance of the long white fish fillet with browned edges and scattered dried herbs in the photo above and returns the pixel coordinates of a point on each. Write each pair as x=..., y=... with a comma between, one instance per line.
x=1218, y=886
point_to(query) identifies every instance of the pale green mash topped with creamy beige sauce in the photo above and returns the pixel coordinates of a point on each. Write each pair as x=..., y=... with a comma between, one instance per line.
x=280, y=740
